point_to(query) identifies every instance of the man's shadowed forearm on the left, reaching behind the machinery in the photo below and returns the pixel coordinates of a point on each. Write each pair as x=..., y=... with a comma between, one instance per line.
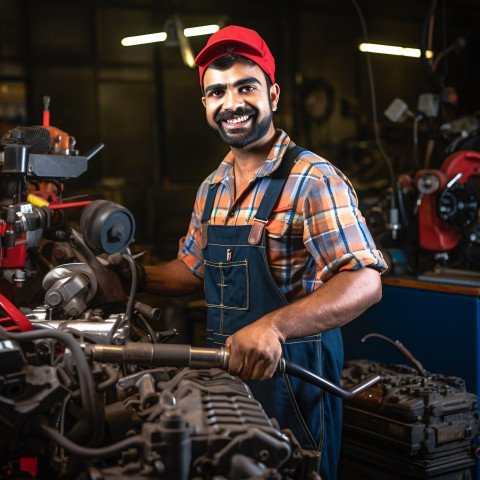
x=172, y=279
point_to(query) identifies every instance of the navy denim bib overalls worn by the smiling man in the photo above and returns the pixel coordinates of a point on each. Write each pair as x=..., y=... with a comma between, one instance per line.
x=240, y=289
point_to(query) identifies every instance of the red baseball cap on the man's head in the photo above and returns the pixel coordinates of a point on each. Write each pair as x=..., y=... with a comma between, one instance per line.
x=240, y=41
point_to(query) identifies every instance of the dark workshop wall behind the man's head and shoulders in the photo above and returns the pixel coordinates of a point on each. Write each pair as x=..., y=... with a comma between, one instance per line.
x=144, y=104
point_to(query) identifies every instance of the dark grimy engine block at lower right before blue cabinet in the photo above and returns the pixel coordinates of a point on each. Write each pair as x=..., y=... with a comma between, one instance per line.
x=419, y=425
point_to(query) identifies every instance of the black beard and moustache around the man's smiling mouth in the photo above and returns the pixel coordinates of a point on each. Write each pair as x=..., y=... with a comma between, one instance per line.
x=241, y=137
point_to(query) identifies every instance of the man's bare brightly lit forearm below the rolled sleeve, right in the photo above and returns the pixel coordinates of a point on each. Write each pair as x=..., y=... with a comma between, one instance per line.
x=343, y=298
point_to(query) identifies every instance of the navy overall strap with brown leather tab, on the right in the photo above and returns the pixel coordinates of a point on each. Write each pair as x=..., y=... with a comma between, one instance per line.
x=278, y=179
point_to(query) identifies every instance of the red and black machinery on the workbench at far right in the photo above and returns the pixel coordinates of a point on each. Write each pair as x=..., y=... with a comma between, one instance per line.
x=435, y=205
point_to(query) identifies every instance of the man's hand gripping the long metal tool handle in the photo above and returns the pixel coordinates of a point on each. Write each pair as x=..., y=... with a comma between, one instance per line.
x=255, y=351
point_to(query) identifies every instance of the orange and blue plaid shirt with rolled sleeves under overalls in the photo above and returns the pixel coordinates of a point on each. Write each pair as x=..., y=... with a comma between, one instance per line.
x=314, y=231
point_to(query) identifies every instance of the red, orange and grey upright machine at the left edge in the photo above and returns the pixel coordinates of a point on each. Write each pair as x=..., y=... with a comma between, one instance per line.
x=35, y=161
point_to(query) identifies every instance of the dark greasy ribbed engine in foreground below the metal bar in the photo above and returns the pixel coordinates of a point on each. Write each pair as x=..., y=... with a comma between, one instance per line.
x=161, y=423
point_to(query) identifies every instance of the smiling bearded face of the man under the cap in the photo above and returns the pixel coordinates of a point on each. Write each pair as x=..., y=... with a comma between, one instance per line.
x=239, y=104
